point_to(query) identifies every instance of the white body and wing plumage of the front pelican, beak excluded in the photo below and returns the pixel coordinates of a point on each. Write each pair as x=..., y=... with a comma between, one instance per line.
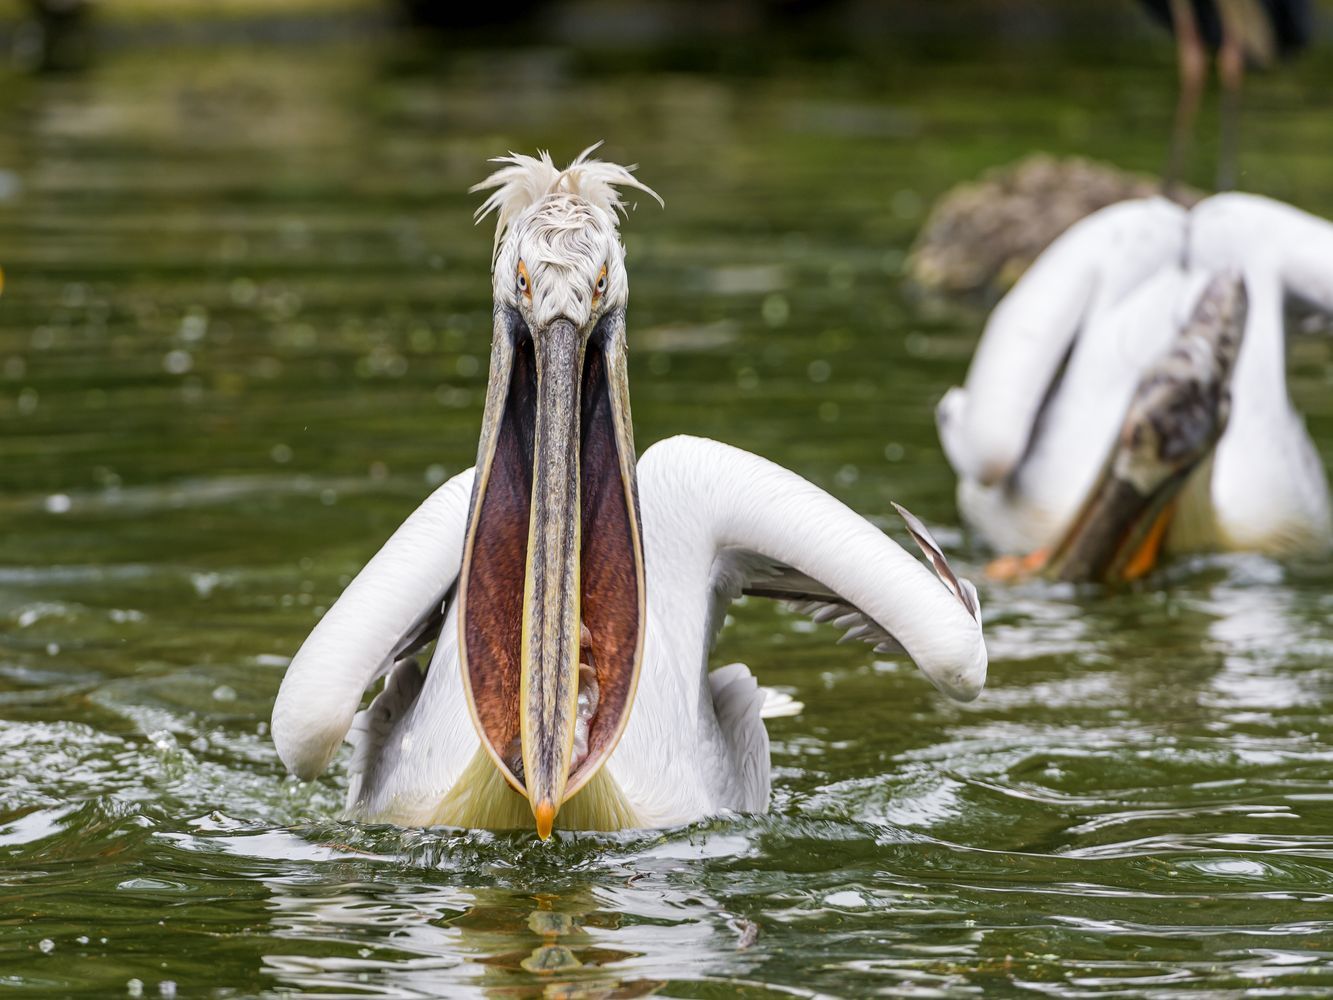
x=716, y=521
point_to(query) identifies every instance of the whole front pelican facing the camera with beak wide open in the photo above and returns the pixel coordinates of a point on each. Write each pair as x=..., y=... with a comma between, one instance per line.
x=574, y=594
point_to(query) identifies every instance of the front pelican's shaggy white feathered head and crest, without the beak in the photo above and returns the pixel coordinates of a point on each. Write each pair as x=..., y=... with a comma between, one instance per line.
x=558, y=251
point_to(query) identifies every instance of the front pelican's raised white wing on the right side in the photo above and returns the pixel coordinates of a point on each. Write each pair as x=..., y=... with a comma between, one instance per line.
x=774, y=534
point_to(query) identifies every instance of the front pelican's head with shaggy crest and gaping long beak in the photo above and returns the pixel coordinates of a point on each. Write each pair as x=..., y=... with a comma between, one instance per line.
x=551, y=594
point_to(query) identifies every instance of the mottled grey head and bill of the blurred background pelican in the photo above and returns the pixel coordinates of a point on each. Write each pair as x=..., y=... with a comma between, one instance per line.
x=1178, y=414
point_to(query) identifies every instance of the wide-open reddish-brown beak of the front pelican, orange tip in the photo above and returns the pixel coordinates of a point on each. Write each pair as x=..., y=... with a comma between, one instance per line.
x=551, y=597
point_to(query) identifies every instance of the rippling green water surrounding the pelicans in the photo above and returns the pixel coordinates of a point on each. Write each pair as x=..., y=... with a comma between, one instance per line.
x=245, y=331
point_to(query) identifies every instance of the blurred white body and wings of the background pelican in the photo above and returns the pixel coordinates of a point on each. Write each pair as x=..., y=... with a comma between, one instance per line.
x=1087, y=330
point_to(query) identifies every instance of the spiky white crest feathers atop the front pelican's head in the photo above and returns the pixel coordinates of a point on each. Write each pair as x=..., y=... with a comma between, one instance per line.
x=525, y=181
